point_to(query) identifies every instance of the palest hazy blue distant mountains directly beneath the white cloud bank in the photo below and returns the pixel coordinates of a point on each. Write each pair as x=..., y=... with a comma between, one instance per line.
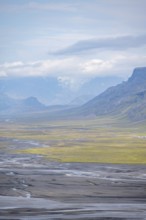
x=53, y=91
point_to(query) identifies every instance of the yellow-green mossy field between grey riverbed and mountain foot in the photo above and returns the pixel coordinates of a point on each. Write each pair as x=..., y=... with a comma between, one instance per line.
x=100, y=140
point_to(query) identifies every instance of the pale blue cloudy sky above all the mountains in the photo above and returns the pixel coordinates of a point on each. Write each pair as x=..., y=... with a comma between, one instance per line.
x=72, y=39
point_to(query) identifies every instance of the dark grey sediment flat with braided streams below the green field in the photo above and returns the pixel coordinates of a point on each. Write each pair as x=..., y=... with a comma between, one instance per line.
x=31, y=188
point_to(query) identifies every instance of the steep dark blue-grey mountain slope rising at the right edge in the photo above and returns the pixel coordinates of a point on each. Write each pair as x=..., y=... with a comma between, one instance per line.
x=127, y=98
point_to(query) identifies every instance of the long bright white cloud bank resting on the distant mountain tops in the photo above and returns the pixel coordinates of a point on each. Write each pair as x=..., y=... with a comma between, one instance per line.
x=69, y=70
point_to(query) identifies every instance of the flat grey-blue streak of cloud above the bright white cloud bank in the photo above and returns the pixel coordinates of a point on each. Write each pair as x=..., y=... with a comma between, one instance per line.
x=110, y=43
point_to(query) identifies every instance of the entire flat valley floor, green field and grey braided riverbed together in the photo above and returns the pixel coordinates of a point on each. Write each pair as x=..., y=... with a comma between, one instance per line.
x=72, y=169
